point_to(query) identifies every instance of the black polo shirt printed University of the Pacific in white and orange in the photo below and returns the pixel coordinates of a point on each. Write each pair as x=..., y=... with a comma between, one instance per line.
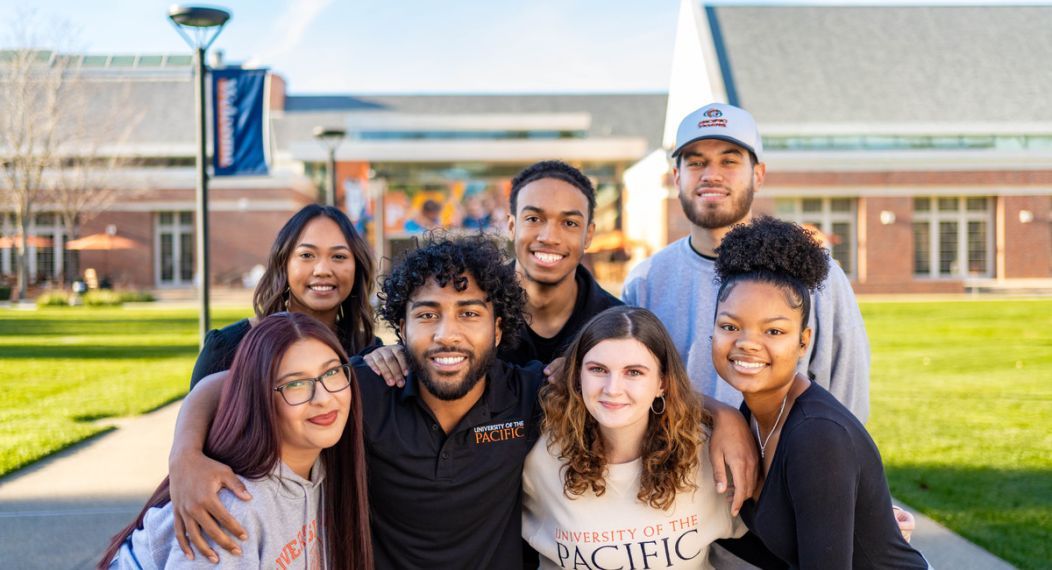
x=453, y=501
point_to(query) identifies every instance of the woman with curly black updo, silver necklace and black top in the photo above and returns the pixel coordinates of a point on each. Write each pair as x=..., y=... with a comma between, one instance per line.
x=823, y=501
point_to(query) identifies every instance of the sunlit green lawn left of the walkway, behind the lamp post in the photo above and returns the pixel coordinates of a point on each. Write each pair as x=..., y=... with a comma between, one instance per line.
x=65, y=369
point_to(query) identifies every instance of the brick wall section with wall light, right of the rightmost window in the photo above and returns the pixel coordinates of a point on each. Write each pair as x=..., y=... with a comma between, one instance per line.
x=1028, y=248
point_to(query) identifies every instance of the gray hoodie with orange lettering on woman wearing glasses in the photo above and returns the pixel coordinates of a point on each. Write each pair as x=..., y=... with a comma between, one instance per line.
x=282, y=522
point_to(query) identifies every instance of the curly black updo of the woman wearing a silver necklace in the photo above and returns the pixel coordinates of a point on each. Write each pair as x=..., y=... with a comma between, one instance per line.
x=770, y=251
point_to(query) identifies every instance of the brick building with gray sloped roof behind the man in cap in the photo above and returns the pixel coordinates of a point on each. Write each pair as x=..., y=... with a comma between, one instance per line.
x=919, y=139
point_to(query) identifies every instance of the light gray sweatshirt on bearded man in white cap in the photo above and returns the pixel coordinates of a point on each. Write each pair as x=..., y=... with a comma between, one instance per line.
x=680, y=288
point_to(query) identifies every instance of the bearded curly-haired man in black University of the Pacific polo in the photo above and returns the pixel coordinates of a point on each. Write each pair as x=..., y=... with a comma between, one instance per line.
x=446, y=453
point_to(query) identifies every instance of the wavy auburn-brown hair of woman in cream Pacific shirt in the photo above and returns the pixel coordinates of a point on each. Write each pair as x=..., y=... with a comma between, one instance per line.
x=674, y=438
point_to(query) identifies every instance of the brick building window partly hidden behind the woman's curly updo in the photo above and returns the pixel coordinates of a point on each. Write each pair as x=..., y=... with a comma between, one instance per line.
x=835, y=217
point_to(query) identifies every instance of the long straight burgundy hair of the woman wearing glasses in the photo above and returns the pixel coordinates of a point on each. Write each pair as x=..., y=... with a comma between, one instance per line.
x=246, y=437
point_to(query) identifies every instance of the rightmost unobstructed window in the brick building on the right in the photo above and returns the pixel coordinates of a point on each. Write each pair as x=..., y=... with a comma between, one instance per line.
x=953, y=237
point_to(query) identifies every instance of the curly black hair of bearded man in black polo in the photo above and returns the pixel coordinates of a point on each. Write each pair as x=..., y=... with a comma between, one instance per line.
x=450, y=260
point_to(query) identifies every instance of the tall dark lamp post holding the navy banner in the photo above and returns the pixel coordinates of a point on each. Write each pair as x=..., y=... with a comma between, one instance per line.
x=200, y=27
